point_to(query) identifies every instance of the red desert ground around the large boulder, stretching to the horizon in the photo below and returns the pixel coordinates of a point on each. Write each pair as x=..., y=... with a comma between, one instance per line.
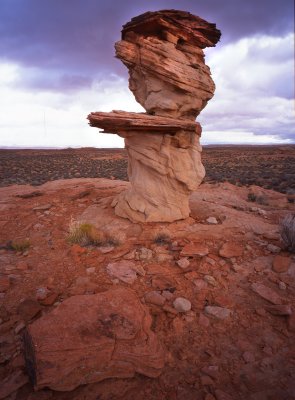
x=237, y=340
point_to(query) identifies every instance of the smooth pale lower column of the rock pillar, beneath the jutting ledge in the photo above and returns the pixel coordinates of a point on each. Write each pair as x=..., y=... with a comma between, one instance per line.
x=163, y=170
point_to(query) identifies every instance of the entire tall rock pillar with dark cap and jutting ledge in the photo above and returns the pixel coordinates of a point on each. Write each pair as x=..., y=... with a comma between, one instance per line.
x=163, y=52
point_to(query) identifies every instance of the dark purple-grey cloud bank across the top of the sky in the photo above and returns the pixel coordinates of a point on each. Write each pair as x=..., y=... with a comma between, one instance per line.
x=75, y=38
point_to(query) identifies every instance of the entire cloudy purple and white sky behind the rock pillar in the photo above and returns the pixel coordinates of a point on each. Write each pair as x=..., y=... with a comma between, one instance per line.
x=57, y=65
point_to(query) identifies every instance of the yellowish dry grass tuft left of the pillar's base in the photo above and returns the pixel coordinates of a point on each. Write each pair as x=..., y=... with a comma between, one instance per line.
x=85, y=234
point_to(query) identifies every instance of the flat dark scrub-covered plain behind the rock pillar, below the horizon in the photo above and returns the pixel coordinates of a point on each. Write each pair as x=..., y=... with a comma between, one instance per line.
x=272, y=167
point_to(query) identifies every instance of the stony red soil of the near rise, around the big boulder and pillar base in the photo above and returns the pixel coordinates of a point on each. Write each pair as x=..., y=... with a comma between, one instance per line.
x=247, y=355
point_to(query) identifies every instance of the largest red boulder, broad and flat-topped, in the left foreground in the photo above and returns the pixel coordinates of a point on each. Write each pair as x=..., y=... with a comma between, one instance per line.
x=90, y=338
